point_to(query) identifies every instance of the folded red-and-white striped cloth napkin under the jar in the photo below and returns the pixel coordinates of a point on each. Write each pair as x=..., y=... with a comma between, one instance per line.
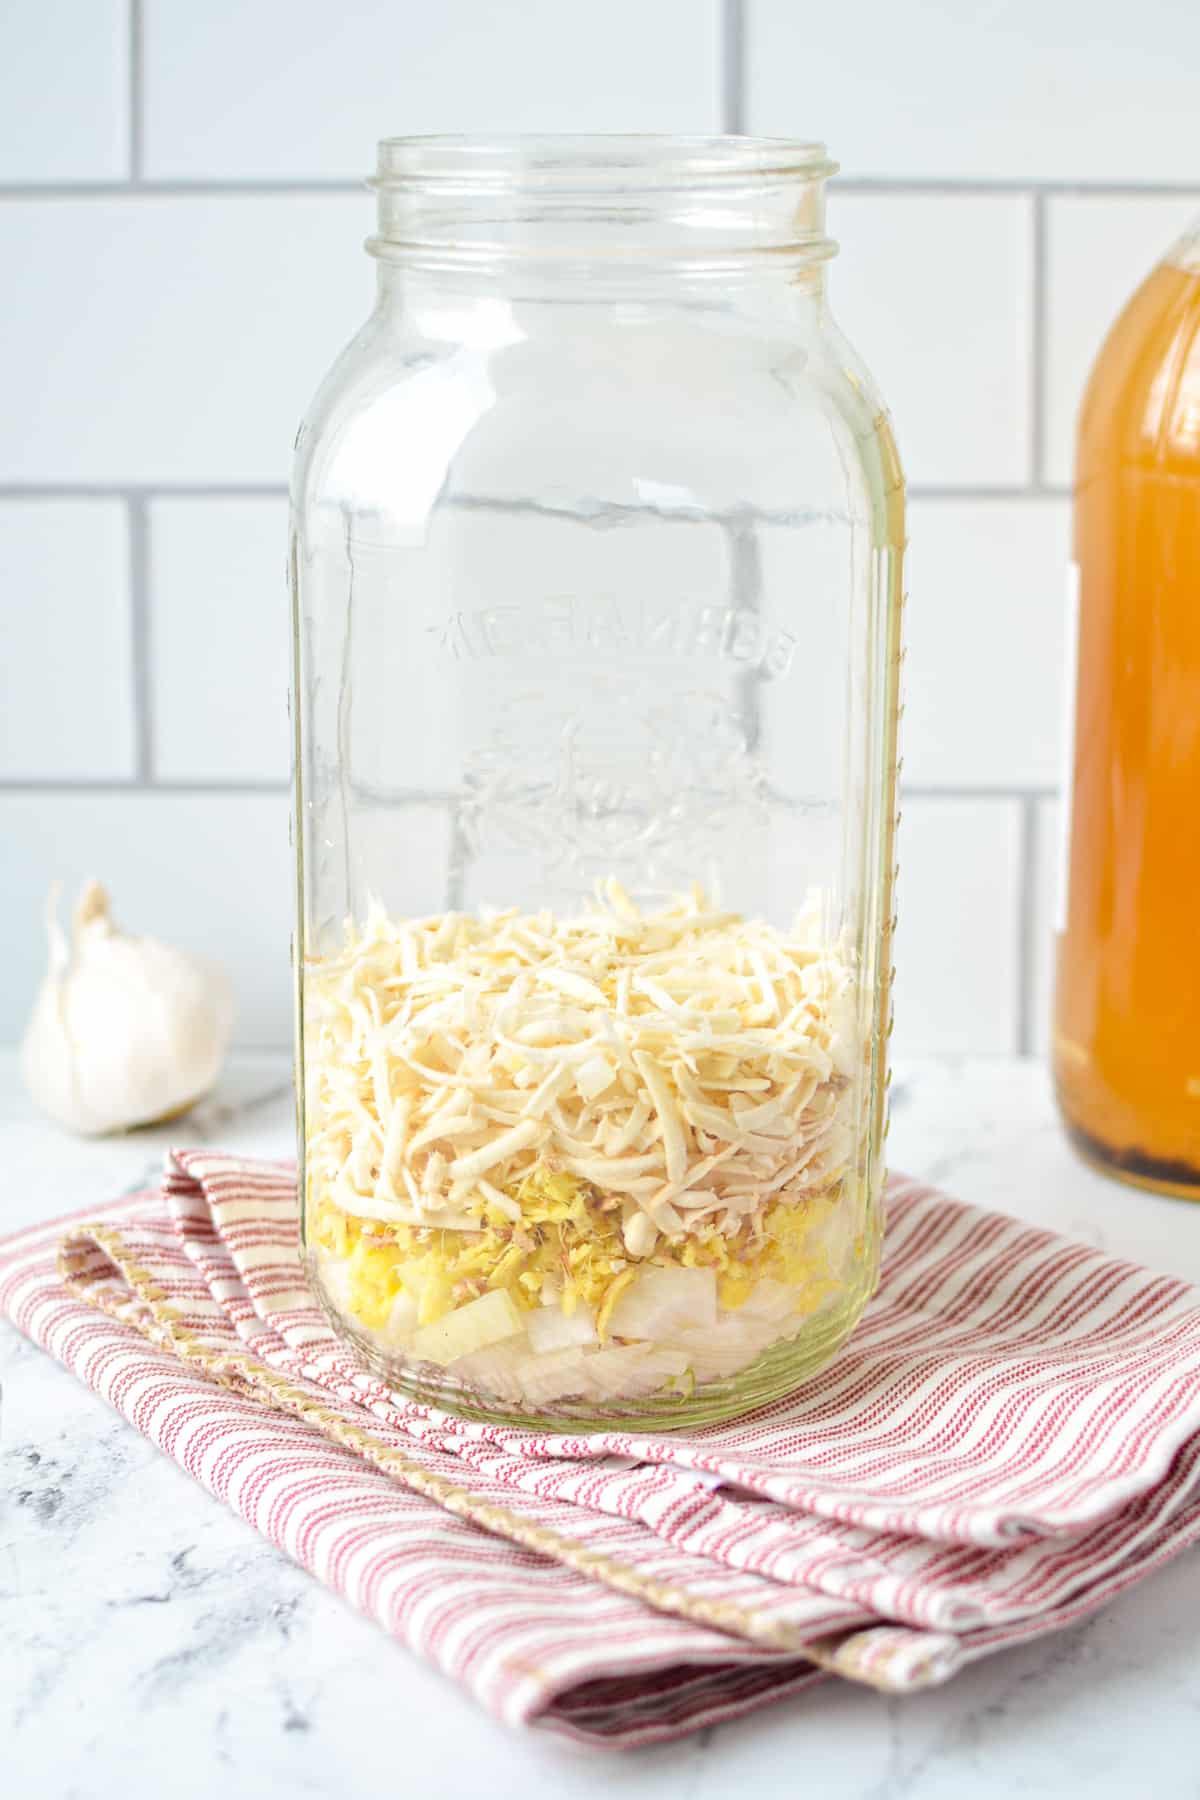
x=1010, y=1439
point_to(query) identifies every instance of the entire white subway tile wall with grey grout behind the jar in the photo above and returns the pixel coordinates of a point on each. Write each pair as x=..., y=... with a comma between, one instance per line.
x=181, y=217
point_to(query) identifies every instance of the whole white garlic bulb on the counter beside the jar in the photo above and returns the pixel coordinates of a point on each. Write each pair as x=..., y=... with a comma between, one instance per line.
x=125, y=1030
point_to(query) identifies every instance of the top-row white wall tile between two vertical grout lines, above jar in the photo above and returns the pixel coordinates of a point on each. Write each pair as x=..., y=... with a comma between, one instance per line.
x=301, y=89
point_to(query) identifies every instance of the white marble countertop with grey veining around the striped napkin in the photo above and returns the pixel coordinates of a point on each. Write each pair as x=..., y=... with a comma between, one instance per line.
x=152, y=1644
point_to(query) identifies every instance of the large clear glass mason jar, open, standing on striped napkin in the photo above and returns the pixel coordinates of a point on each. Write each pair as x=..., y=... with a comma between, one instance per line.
x=596, y=564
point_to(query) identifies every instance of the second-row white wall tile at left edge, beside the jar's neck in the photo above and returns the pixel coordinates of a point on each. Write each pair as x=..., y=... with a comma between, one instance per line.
x=168, y=339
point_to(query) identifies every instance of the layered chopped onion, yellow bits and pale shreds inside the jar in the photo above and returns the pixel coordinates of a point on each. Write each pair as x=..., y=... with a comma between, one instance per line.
x=582, y=1156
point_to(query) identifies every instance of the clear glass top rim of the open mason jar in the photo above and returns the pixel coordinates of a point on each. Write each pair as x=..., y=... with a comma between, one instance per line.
x=564, y=163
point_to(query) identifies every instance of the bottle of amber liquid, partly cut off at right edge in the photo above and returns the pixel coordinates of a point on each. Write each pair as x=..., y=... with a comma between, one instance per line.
x=1127, y=1012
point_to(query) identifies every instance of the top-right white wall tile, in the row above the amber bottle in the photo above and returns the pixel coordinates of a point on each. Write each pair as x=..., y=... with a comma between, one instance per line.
x=1030, y=91
